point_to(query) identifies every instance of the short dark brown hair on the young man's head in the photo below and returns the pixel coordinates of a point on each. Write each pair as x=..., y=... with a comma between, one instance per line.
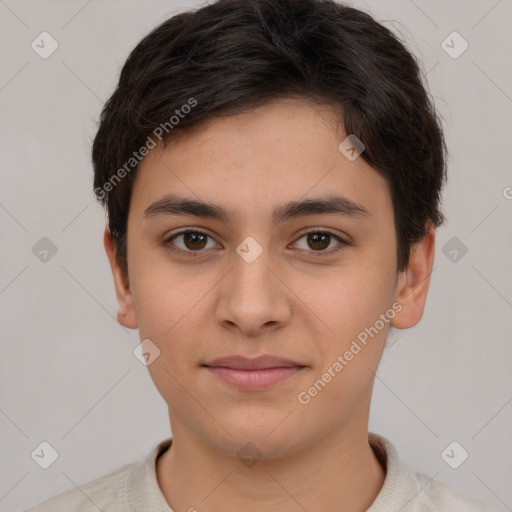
x=235, y=55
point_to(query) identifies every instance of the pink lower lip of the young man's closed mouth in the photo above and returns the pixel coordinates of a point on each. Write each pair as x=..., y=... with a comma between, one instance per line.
x=254, y=379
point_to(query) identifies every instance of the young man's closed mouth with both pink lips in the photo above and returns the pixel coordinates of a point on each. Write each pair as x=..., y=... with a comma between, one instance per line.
x=253, y=374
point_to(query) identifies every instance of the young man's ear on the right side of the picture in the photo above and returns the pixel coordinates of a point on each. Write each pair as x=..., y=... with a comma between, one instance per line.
x=413, y=282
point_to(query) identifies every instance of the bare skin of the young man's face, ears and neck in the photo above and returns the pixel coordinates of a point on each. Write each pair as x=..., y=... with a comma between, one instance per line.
x=195, y=309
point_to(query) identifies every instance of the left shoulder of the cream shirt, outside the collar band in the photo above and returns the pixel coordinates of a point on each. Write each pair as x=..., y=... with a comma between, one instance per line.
x=107, y=493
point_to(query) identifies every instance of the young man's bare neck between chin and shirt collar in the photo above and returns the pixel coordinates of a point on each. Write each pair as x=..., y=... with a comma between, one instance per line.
x=339, y=468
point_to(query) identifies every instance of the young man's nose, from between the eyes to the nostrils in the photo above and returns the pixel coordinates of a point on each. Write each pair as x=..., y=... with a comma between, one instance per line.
x=253, y=298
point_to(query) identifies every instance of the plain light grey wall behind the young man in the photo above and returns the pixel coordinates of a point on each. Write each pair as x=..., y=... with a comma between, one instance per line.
x=67, y=372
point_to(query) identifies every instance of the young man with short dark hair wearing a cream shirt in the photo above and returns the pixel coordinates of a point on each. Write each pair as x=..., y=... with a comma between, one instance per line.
x=271, y=172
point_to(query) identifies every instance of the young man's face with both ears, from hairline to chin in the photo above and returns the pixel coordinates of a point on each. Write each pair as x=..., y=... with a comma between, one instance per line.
x=265, y=278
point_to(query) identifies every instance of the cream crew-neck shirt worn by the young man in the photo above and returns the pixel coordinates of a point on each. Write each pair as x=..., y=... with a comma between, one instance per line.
x=134, y=488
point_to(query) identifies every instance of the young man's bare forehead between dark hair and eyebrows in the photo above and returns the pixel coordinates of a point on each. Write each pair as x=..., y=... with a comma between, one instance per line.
x=252, y=162
